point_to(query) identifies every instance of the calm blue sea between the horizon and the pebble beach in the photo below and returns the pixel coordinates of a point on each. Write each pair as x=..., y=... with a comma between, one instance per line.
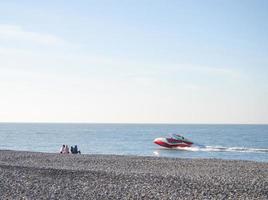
x=236, y=142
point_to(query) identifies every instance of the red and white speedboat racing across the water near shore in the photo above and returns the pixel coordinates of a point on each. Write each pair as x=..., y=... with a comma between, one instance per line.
x=173, y=141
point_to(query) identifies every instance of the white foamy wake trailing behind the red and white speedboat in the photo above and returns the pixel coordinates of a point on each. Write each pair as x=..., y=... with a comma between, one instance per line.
x=224, y=149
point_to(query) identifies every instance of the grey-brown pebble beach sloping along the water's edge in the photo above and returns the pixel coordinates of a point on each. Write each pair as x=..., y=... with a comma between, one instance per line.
x=29, y=175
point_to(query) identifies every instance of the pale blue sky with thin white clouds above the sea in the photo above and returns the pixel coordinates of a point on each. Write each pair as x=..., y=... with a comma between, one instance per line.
x=129, y=61
